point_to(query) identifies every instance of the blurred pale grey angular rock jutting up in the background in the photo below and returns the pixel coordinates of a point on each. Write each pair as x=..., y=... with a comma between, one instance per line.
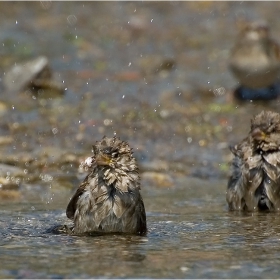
x=34, y=75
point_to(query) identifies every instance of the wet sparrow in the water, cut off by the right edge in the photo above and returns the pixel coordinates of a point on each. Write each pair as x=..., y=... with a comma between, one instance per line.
x=254, y=183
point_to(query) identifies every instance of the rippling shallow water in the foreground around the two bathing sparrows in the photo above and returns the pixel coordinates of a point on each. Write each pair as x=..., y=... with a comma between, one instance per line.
x=190, y=235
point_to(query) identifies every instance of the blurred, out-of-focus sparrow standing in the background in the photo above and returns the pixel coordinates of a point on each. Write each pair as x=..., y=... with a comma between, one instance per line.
x=255, y=62
